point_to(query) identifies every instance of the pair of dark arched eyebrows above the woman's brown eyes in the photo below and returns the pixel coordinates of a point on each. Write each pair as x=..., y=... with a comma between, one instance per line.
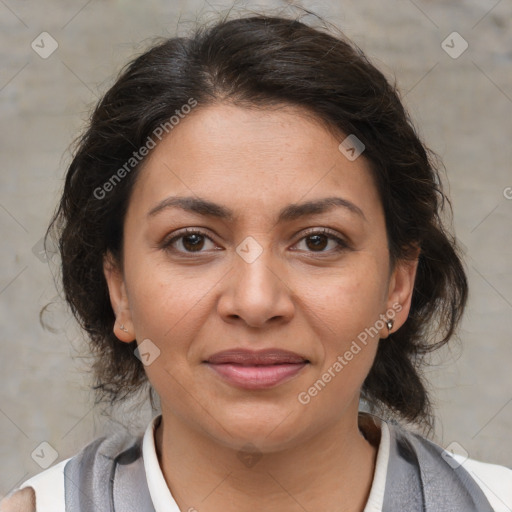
x=287, y=214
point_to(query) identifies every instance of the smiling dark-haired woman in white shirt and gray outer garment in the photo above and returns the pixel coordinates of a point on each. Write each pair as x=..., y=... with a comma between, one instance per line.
x=252, y=225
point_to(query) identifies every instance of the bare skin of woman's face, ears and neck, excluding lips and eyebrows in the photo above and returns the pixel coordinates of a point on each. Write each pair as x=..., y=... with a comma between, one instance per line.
x=307, y=298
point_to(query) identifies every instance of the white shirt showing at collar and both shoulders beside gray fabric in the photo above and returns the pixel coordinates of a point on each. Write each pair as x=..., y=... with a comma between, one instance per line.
x=494, y=480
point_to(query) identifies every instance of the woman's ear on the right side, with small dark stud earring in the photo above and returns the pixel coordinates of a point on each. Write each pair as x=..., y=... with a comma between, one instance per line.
x=401, y=287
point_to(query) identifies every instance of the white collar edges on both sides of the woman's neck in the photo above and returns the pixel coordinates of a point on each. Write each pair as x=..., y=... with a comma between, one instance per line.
x=163, y=500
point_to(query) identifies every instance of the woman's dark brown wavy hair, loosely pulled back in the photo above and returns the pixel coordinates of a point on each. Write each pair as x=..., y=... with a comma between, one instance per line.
x=262, y=61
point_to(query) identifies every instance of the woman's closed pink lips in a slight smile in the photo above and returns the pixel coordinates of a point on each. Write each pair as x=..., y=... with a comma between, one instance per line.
x=256, y=369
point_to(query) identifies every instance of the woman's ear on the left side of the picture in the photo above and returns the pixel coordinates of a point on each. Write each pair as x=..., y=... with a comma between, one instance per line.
x=123, y=326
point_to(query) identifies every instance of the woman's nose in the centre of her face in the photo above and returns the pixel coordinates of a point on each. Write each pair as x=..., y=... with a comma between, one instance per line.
x=255, y=293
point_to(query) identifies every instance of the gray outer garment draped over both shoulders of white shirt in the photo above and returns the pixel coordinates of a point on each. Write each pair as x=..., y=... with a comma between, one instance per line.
x=108, y=475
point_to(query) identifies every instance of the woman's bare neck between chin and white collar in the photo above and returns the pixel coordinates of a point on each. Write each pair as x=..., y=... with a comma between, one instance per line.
x=332, y=470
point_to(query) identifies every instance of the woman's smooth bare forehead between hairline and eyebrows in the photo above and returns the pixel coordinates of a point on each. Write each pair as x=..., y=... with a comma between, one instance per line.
x=259, y=157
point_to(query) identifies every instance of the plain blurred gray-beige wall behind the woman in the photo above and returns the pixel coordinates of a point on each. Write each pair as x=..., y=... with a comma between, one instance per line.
x=462, y=106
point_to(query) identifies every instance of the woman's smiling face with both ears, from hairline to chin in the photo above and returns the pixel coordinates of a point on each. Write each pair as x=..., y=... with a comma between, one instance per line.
x=286, y=250
